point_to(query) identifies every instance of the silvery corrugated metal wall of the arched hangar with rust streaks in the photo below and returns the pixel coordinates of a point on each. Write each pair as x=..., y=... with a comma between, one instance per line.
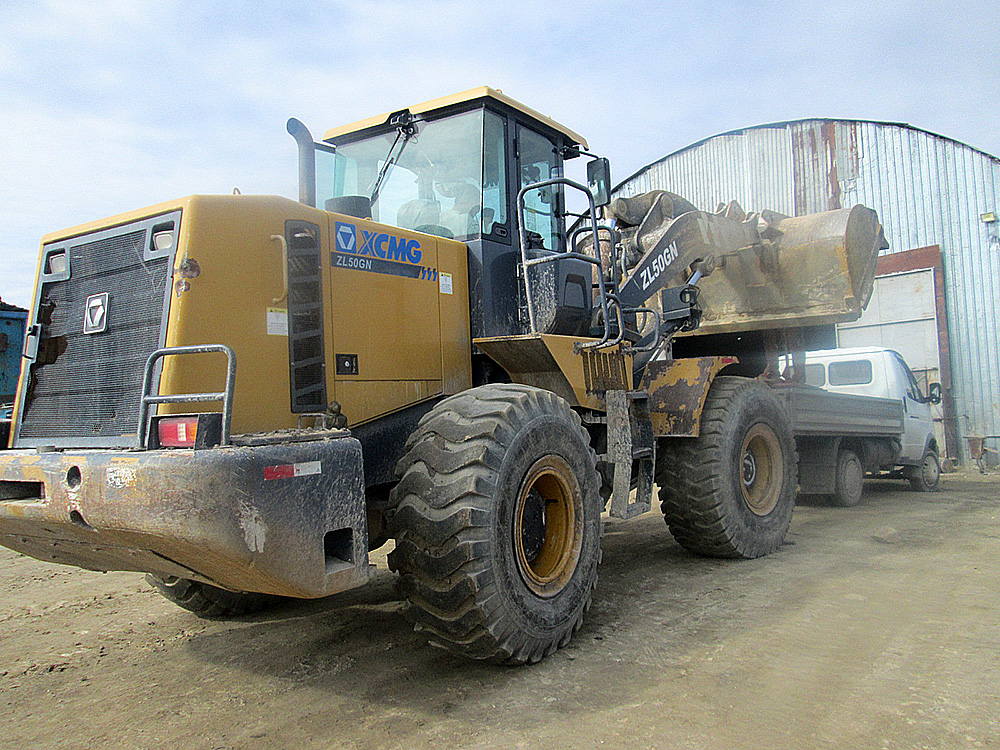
x=928, y=190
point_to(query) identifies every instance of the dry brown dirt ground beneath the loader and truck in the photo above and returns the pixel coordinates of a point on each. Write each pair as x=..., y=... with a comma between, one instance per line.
x=874, y=627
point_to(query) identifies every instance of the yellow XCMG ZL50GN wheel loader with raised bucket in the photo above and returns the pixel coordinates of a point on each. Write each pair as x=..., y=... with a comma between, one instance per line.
x=243, y=395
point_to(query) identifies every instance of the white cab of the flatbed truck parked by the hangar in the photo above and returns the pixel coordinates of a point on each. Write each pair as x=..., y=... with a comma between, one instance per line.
x=870, y=371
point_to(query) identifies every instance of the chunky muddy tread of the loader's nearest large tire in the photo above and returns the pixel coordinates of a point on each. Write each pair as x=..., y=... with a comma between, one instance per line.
x=441, y=512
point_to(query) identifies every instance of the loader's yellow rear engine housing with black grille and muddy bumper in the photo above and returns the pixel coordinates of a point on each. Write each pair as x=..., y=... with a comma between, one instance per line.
x=274, y=508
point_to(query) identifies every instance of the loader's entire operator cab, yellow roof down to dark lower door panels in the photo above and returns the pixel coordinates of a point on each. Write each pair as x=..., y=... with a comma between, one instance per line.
x=453, y=167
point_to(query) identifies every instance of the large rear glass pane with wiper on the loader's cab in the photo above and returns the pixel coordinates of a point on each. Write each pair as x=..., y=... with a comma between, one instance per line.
x=432, y=181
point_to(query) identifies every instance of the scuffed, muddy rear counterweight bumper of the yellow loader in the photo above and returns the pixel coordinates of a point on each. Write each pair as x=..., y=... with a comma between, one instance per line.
x=284, y=519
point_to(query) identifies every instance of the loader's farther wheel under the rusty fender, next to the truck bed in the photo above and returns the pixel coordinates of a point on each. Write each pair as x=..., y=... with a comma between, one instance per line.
x=731, y=491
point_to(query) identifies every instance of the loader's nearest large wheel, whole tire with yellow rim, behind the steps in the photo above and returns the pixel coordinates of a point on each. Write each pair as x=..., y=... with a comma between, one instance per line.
x=497, y=523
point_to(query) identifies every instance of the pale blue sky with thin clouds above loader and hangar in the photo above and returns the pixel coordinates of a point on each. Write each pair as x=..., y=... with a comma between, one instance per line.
x=114, y=105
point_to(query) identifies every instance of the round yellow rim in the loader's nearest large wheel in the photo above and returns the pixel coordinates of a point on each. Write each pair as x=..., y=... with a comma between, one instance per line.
x=548, y=526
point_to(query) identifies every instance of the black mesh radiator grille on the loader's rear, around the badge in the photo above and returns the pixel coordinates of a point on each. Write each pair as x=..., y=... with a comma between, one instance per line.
x=87, y=386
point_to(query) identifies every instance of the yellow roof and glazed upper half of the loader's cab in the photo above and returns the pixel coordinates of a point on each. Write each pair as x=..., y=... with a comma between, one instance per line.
x=445, y=167
